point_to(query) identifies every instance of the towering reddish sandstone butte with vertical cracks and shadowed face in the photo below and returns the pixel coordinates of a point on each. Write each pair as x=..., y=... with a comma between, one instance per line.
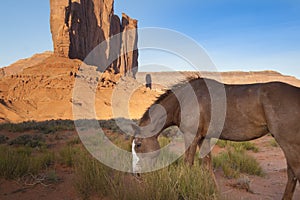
x=78, y=26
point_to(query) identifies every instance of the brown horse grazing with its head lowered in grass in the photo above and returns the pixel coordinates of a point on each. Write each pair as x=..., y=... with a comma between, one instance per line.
x=252, y=111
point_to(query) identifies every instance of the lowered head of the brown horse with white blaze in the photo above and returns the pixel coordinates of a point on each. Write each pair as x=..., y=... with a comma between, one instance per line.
x=145, y=150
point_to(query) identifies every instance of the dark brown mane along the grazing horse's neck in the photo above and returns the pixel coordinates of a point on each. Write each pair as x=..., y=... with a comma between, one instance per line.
x=168, y=92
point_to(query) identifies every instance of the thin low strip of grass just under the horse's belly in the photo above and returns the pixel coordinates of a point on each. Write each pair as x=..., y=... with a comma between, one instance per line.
x=239, y=146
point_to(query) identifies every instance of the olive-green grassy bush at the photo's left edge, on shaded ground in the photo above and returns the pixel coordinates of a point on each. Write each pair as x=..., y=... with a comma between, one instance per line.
x=17, y=162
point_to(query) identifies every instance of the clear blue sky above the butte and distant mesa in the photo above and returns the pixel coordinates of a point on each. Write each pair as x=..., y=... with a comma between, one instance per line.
x=237, y=34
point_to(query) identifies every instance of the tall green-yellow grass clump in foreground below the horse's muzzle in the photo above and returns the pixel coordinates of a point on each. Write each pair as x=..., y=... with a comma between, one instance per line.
x=173, y=182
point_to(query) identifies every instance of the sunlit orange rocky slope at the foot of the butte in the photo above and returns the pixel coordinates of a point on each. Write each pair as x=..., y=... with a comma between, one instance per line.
x=45, y=91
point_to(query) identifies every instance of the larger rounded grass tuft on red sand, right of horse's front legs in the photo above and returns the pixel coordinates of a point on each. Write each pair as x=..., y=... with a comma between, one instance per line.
x=235, y=162
